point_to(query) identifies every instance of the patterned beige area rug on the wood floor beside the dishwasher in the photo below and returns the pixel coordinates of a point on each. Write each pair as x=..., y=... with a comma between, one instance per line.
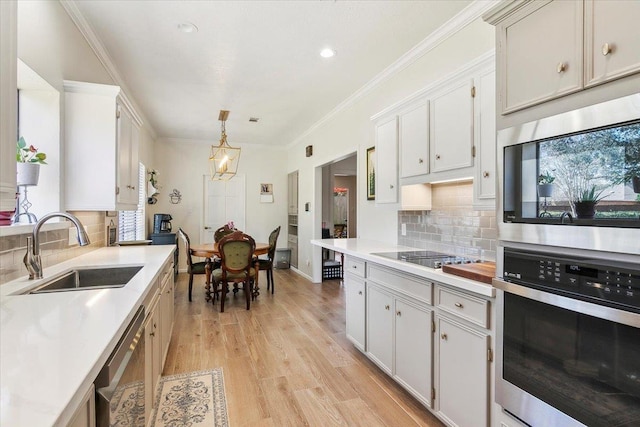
x=194, y=399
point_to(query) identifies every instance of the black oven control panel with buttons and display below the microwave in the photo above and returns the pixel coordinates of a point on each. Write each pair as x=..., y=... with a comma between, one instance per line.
x=592, y=279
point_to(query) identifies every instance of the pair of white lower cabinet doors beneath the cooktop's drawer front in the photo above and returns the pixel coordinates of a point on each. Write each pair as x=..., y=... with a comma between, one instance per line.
x=399, y=339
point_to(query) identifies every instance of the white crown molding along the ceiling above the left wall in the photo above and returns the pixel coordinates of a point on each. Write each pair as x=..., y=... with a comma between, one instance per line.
x=105, y=59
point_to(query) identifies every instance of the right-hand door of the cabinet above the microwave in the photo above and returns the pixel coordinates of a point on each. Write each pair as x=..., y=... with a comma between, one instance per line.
x=612, y=48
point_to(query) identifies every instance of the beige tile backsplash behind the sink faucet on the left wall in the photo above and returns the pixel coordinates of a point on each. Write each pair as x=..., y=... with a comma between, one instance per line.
x=54, y=246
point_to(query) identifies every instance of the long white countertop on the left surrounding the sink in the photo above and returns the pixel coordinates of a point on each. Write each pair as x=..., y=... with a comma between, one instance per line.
x=53, y=345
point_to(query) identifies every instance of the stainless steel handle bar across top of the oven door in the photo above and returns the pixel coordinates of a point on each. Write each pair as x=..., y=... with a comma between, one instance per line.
x=600, y=311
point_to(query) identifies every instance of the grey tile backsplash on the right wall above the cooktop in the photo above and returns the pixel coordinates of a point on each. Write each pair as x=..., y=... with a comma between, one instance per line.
x=452, y=225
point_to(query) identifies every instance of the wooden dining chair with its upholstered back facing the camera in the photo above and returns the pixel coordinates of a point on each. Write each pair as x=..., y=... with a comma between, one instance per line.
x=238, y=265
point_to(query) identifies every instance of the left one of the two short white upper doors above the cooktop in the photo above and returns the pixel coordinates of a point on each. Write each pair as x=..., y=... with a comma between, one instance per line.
x=414, y=141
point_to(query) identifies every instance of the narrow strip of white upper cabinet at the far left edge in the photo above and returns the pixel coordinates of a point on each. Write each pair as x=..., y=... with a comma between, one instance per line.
x=8, y=103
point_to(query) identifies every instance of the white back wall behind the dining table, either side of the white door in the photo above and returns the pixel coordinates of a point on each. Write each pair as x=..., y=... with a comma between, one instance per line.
x=182, y=165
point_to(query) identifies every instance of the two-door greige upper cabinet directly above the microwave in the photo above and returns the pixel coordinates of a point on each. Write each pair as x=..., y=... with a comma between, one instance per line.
x=551, y=48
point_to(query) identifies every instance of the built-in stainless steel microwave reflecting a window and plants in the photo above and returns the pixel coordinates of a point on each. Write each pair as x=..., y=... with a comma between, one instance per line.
x=573, y=179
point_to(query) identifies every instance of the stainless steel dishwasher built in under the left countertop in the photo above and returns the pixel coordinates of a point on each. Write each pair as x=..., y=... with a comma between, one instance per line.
x=120, y=385
